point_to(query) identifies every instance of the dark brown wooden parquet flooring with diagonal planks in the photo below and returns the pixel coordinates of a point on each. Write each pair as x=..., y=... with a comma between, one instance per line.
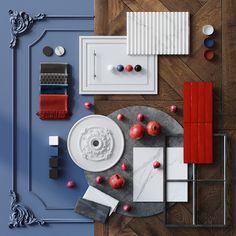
x=110, y=19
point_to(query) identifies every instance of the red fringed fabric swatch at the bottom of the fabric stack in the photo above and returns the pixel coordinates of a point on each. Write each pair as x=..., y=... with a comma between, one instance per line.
x=53, y=107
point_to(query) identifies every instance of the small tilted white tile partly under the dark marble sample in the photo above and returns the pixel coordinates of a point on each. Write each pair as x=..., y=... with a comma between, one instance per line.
x=95, y=195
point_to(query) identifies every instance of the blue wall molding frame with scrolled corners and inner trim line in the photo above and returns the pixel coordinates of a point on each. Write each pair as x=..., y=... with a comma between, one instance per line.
x=21, y=22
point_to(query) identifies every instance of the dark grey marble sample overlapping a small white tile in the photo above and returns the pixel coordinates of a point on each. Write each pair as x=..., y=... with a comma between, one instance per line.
x=92, y=210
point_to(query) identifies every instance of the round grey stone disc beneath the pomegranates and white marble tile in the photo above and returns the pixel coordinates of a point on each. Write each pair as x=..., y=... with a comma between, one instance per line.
x=169, y=127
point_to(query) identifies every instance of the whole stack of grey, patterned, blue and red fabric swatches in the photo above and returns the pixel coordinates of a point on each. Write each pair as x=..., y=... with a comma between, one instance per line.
x=53, y=98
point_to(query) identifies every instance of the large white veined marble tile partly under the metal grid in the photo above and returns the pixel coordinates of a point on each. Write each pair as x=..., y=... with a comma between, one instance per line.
x=148, y=182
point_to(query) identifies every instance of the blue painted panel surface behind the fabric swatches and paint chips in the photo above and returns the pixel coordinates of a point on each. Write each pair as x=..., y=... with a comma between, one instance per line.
x=49, y=200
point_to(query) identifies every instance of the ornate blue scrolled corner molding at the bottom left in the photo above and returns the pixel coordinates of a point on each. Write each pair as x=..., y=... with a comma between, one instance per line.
x=21, y=215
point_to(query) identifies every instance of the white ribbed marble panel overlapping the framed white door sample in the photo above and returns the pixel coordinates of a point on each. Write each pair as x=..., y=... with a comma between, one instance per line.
x=163, y=33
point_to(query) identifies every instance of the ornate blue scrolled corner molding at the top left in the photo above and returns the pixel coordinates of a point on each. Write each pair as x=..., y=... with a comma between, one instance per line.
x=21, y=22
